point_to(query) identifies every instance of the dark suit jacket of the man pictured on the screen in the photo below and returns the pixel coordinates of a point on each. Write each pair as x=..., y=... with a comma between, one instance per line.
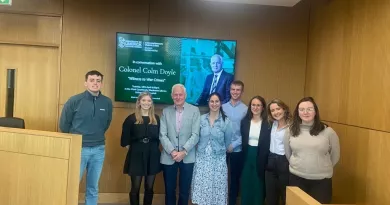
x=223, y=88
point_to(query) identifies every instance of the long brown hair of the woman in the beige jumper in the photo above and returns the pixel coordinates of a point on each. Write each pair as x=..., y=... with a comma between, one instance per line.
x=317, y=126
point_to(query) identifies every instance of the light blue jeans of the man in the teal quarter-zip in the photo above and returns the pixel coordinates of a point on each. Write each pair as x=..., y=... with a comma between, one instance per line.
x=92, y=159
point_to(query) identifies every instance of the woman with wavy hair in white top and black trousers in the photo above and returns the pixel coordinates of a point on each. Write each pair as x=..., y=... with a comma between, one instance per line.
x=276, y=173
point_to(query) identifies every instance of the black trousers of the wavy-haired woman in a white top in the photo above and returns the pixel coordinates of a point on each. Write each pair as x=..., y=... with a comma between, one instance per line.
x=276, y=179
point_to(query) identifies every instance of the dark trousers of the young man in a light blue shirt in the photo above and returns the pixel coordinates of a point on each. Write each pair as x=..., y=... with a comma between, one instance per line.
x=235, y=163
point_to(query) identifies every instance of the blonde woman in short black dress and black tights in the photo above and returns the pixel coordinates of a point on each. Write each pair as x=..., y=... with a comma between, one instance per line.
x=140, y=135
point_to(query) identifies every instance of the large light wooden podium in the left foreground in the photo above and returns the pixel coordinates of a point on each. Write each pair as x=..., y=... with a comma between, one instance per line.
x=38, y=167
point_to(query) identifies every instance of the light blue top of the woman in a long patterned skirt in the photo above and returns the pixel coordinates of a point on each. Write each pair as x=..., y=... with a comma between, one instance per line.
x=220, y=134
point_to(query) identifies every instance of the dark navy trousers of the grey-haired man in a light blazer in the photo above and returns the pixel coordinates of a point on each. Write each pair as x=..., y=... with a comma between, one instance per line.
x=185, y=178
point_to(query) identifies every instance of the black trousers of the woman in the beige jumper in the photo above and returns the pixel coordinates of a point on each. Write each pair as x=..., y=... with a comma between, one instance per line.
x=320, y=190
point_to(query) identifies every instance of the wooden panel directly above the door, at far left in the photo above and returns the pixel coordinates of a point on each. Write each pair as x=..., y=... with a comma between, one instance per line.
x=30, y=29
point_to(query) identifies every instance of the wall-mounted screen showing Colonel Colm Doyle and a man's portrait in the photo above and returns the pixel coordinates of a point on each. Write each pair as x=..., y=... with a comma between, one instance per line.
x=156, y=63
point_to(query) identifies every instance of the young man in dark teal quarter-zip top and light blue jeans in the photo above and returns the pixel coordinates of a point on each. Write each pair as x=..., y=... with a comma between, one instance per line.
x=89, y=114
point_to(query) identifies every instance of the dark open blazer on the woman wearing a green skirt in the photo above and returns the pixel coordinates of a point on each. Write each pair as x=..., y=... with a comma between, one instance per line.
x=262, y=147
